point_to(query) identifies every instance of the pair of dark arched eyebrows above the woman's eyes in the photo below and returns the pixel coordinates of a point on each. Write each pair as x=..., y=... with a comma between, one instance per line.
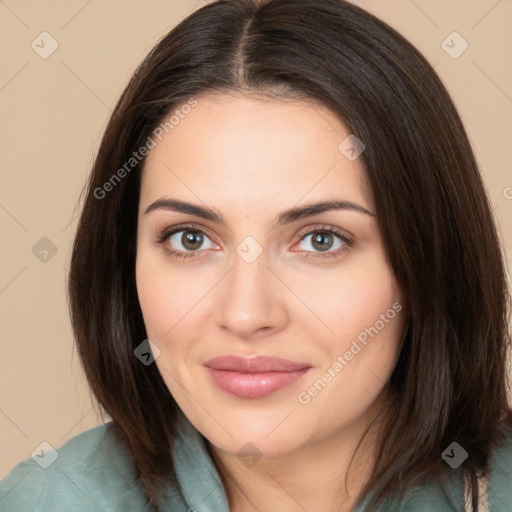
x=285, y=217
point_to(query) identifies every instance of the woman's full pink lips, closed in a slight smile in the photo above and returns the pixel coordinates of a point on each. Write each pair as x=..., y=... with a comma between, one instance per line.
x=254, y=377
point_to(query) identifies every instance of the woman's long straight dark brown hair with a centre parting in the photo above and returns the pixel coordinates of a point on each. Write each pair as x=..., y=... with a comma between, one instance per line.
x=434, y=216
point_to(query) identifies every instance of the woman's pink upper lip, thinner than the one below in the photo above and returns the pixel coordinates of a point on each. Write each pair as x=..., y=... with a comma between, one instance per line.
x=254, y=364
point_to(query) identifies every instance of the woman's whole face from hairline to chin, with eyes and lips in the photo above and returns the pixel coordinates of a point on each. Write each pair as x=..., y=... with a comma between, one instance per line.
x=276, y=325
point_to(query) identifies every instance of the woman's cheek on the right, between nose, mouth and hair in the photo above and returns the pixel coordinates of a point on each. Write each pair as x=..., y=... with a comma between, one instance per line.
x=363, y=308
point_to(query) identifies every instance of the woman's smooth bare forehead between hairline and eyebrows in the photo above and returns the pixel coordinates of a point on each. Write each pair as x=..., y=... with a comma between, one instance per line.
x=232, y=149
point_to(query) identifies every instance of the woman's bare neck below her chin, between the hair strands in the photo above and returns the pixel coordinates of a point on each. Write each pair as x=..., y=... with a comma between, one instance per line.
x=325, y=475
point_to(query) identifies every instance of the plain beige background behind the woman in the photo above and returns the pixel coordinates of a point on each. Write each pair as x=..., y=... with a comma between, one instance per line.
x=53, y=112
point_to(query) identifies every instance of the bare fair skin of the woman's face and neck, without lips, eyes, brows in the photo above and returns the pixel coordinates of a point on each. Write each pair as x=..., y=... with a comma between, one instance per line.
x=250, y=158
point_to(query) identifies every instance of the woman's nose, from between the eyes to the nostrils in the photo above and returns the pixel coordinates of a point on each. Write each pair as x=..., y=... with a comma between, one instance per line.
x=251, y=300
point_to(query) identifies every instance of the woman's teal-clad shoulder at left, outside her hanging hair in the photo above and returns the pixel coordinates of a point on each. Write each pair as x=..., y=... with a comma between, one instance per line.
x=93, y=470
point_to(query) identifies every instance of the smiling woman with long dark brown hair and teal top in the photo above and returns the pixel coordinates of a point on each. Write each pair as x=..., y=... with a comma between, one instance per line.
x=286, y=286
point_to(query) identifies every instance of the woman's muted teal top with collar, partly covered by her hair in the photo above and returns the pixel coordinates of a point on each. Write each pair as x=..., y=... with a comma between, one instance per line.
x=94, y=471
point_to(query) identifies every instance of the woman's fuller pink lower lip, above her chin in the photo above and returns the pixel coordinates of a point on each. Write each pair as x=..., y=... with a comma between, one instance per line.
x=254, y=385
